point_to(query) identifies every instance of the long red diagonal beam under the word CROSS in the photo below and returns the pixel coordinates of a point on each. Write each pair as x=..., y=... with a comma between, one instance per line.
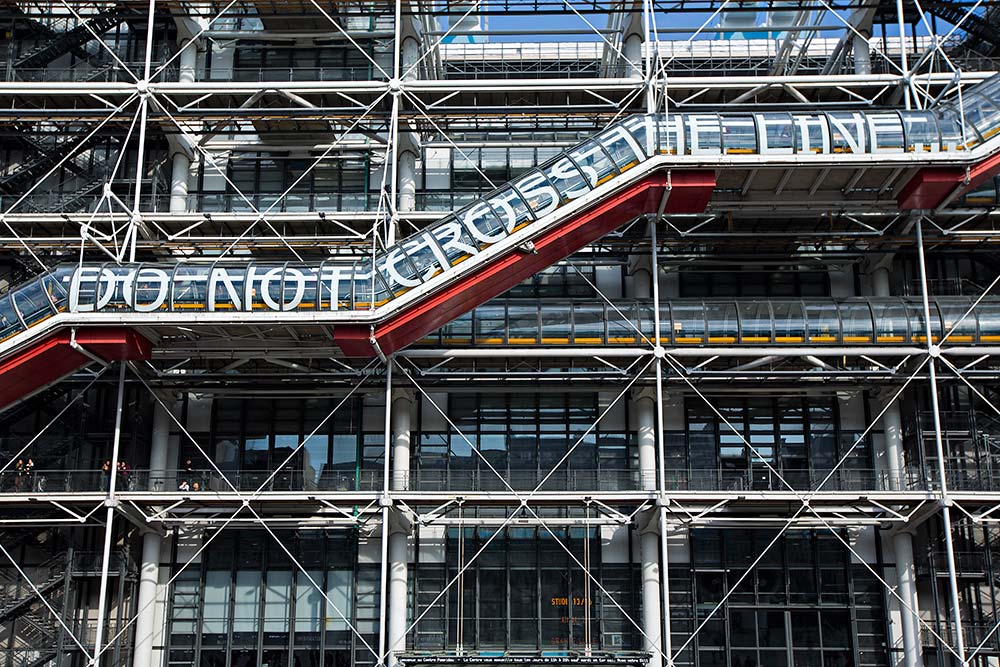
x=690, y=192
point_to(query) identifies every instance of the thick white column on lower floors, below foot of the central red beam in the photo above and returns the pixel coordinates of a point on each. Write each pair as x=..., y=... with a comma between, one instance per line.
x=402, y=403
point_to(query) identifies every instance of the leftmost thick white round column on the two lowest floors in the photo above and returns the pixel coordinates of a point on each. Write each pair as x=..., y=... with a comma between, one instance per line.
x=145, y=621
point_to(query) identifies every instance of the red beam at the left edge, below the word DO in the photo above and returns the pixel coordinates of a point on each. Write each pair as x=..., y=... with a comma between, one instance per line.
x=28, y=370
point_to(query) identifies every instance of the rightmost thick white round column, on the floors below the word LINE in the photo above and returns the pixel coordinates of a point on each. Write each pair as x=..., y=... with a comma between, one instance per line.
x=902, y=541
